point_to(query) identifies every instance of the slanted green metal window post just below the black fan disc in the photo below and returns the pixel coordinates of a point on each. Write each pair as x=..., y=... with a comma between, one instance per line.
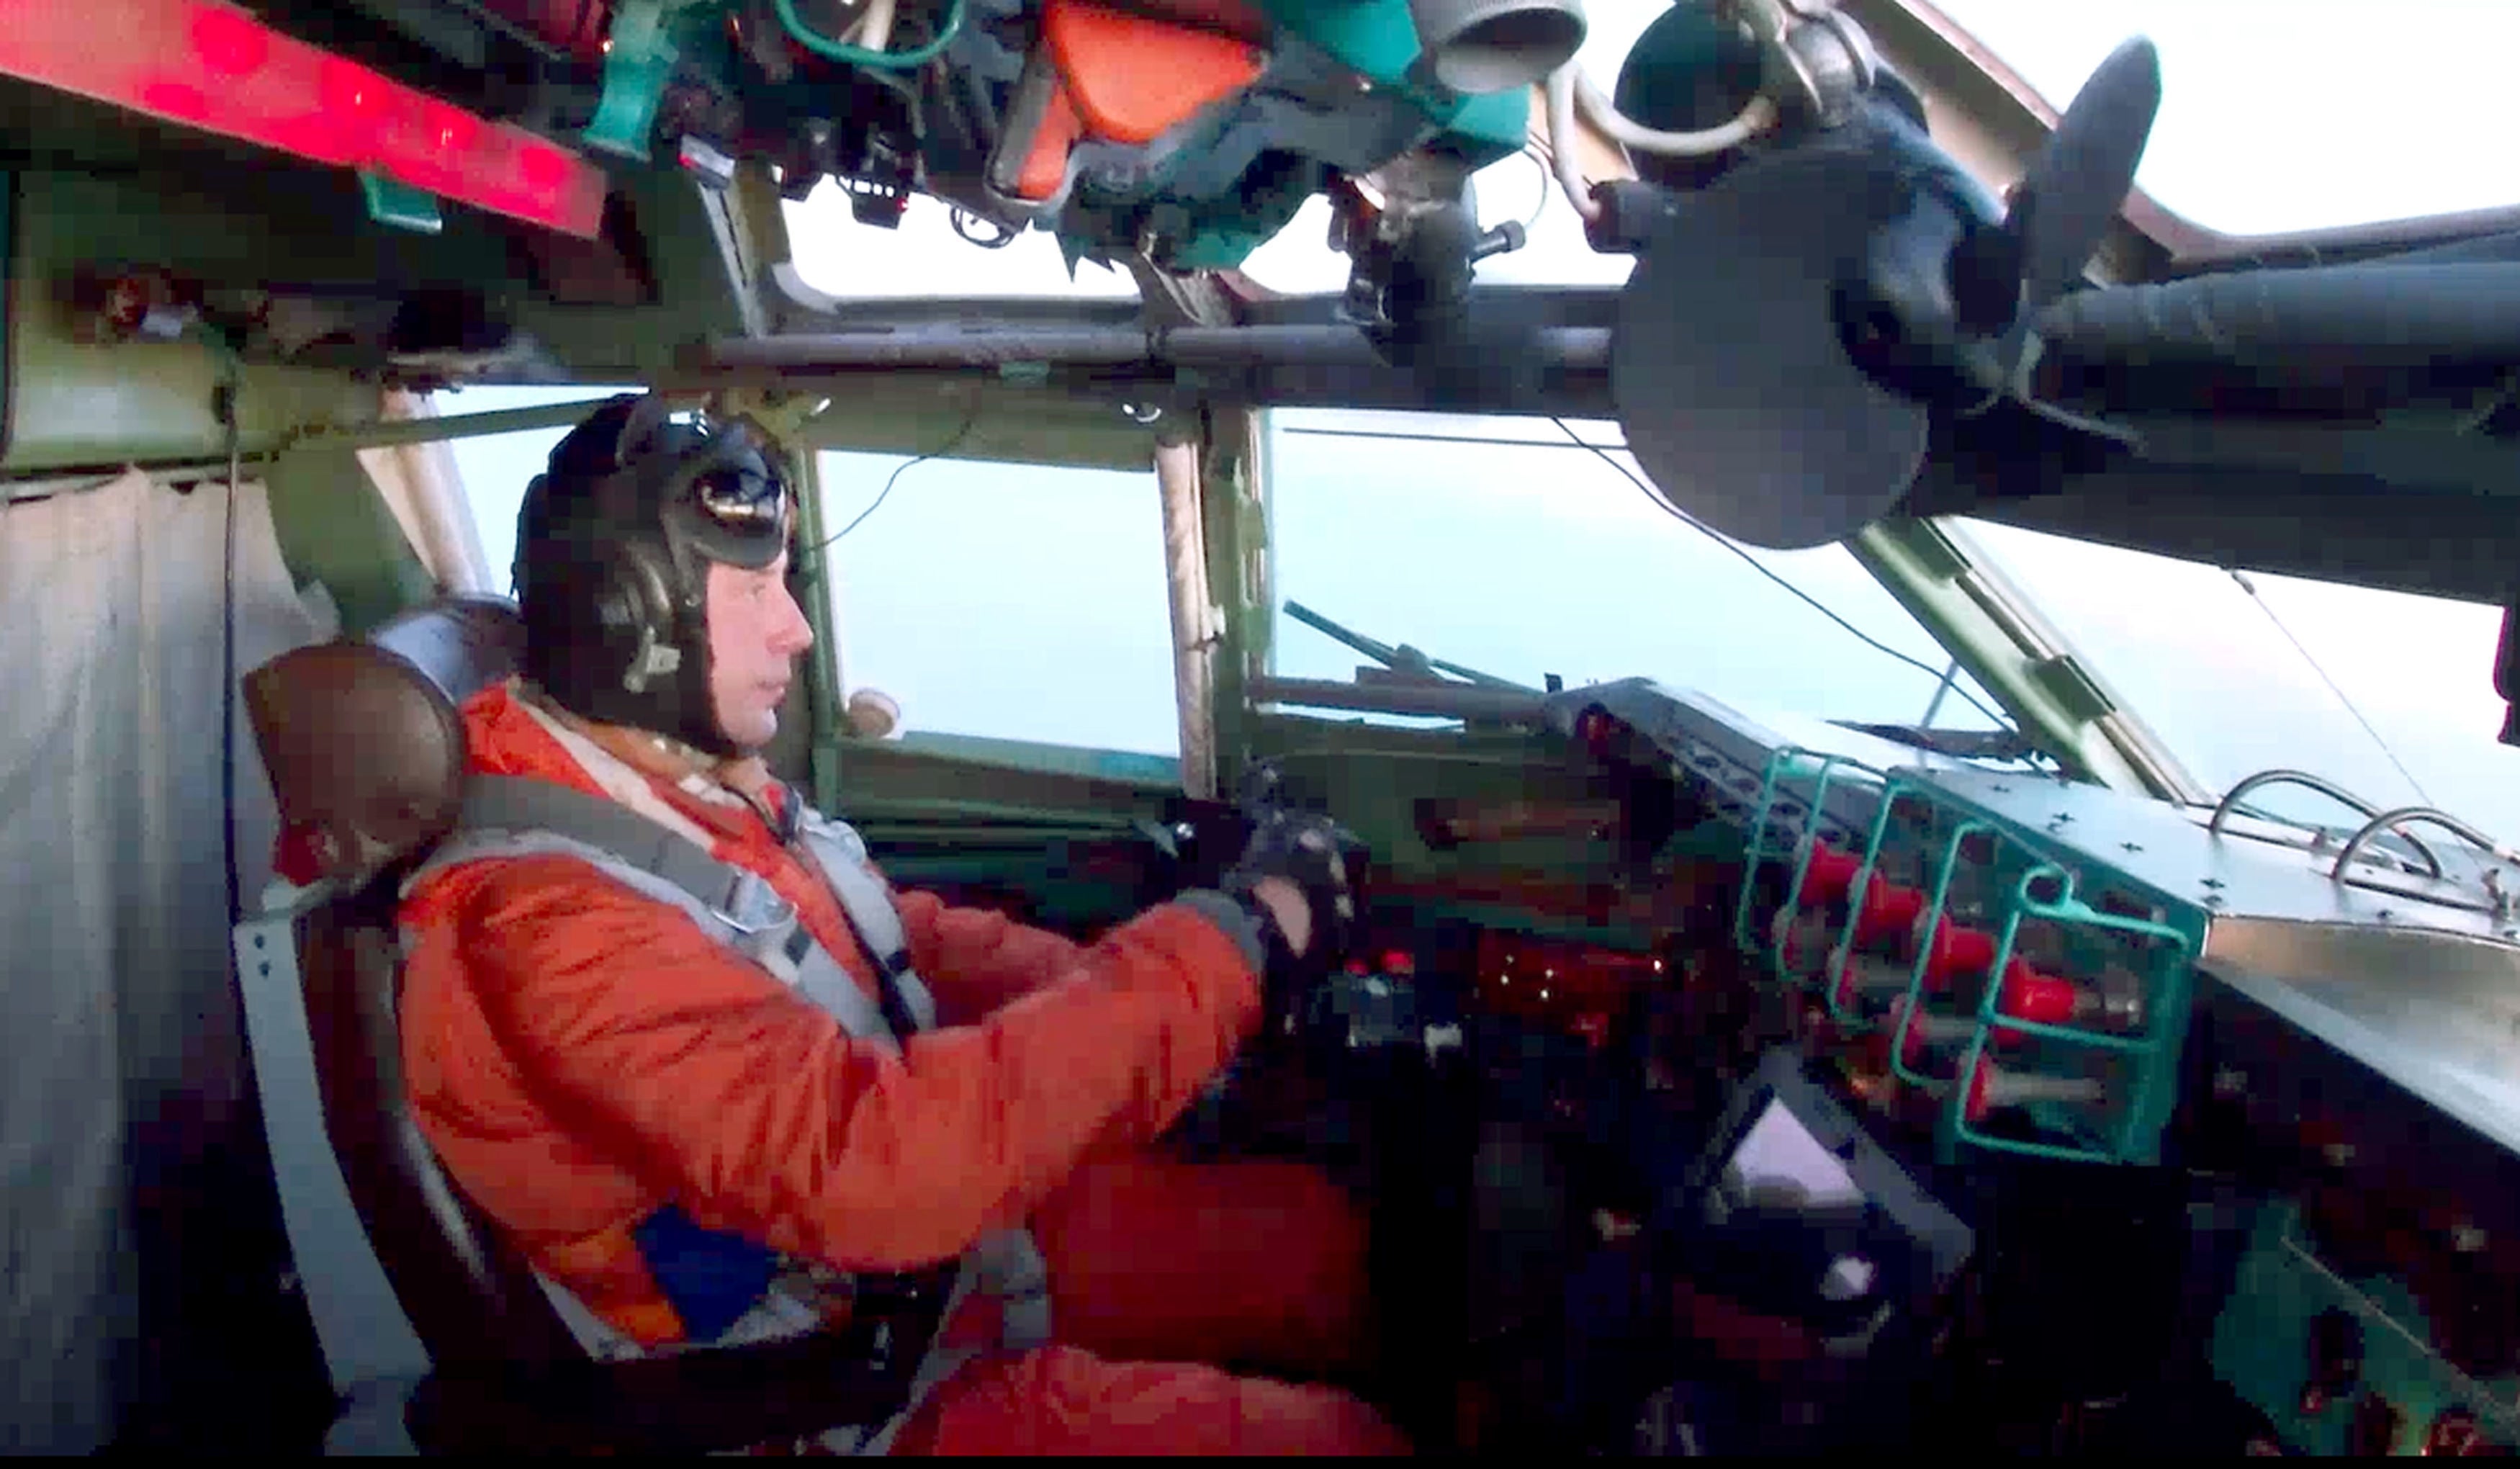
x=1921, y=568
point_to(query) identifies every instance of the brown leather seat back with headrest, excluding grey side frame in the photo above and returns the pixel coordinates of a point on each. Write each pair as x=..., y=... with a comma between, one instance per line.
x=367, y=760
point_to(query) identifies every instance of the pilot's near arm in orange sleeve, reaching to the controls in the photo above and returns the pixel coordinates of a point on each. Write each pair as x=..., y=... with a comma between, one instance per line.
x=767, y=1120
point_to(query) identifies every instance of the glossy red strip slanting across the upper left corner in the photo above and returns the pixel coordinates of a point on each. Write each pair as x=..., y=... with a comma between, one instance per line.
x=218, y=69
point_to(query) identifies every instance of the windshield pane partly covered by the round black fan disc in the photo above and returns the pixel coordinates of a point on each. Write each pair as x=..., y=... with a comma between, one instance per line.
x=1506, y=548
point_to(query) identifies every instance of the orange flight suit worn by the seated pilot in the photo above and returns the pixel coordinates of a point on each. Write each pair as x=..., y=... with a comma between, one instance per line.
x=581, y=1057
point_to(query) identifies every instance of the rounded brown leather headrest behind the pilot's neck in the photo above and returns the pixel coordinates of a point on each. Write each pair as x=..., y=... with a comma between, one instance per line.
x=362, y=737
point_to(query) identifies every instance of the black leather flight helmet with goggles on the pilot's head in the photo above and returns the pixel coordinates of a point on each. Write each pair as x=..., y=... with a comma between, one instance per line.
x=614, y=551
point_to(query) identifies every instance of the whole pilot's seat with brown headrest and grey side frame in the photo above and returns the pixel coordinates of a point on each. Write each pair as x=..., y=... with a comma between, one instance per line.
x=367, y=757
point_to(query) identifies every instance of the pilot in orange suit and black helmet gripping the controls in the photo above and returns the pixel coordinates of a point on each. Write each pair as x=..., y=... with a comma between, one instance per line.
x=724, y=1085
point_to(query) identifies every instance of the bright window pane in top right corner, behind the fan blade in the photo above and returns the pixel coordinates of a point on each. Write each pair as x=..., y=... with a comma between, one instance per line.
x=2289, y=115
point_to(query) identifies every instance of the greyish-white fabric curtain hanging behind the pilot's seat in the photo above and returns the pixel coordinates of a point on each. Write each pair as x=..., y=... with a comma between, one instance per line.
x=120, y=1039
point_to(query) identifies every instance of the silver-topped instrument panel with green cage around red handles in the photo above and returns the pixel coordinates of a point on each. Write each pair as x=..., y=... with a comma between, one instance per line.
x=2025, y=974
